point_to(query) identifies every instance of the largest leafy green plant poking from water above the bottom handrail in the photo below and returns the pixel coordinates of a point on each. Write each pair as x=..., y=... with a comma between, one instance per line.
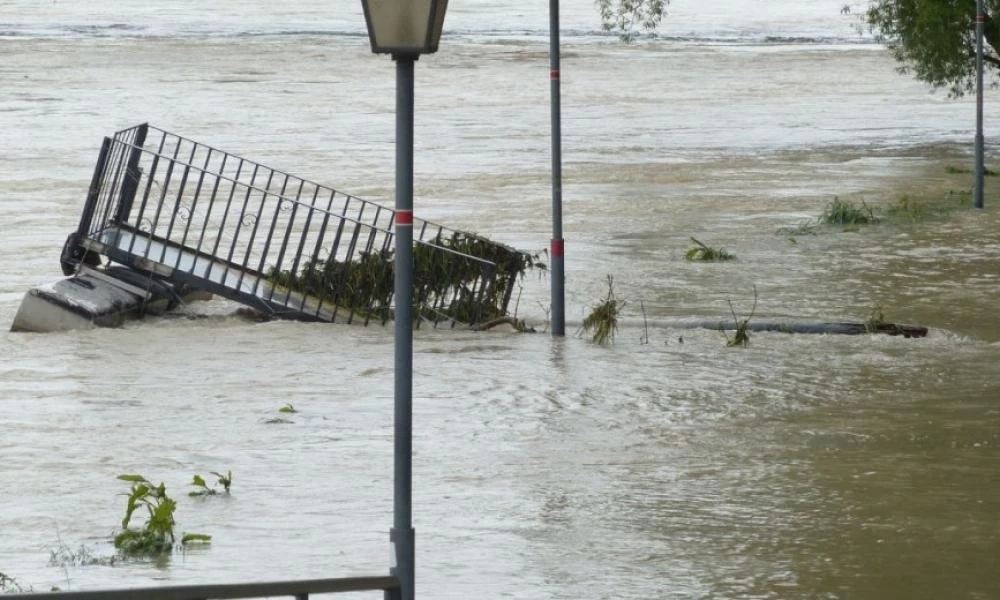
x=156, y=536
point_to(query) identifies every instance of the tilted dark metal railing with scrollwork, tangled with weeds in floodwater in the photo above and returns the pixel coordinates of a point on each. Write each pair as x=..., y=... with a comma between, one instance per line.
x=213, y=220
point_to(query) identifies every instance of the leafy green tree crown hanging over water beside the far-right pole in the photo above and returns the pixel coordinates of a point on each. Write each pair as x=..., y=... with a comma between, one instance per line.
x=933, y=39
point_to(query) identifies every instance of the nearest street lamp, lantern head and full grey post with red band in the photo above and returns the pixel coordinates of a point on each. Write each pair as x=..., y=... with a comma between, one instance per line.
x=405, y=29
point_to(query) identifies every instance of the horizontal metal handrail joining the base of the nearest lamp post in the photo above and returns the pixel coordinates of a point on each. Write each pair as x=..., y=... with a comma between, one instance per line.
x=224, y=591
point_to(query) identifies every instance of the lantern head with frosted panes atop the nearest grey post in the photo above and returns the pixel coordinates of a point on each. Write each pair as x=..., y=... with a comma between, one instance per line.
x=404, y=27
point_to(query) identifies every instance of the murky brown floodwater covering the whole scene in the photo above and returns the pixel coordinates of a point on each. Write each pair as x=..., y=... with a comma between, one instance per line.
x=800, y=467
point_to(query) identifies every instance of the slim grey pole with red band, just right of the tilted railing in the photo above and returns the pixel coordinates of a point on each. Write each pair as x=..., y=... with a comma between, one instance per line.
x=558, y=291
